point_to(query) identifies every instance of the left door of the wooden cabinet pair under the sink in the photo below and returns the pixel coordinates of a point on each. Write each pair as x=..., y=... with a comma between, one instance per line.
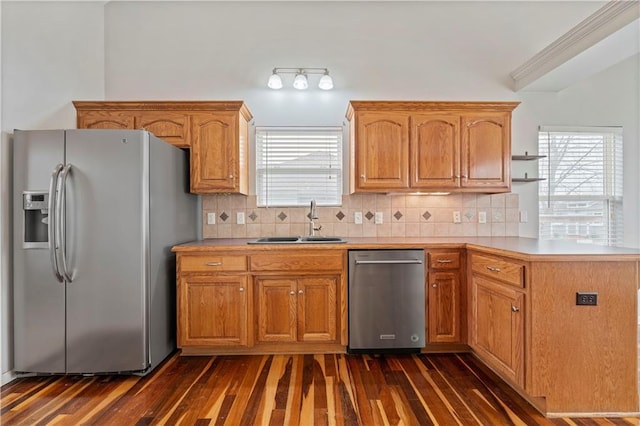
x=276, y=301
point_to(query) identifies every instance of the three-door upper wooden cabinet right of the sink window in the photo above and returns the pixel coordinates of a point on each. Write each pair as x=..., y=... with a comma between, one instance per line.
x=398, y=146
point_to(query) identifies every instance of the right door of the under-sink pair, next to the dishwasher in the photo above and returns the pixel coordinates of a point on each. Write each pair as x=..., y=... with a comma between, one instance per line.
x=317, y=309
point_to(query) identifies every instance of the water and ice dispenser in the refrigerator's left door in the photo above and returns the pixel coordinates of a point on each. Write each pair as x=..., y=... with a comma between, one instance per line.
x=35, y=209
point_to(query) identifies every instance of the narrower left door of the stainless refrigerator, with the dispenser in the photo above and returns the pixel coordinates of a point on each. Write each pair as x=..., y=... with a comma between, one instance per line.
x=38, y=298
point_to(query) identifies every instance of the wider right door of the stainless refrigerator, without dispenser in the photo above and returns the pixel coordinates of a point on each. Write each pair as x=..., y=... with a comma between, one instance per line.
x=105, y=226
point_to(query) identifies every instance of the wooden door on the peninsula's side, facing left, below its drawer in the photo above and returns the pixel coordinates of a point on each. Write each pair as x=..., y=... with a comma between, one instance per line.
x=498, y=327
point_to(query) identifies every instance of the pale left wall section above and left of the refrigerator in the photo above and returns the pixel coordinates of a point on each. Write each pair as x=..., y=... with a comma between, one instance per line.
x=52, y=53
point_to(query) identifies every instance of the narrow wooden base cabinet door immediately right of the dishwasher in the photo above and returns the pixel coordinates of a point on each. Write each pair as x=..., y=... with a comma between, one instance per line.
x=444, y=307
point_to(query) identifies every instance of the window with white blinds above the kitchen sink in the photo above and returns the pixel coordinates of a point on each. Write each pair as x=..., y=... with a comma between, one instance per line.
x=296, y=165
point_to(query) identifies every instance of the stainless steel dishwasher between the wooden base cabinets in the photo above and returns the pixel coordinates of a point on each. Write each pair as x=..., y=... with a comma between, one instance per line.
x=386, y=300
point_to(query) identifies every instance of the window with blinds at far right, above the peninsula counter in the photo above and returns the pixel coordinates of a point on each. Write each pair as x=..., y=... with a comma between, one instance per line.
x=581, y=198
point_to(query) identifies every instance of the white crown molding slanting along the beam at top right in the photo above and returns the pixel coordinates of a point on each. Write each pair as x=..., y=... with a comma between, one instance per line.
x=605, y=21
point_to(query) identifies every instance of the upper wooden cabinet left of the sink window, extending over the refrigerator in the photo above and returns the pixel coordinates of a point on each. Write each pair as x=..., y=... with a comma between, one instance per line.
x=216, y=131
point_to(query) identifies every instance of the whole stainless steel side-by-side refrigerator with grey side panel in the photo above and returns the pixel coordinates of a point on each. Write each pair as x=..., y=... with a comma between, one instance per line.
x=95, y=215
